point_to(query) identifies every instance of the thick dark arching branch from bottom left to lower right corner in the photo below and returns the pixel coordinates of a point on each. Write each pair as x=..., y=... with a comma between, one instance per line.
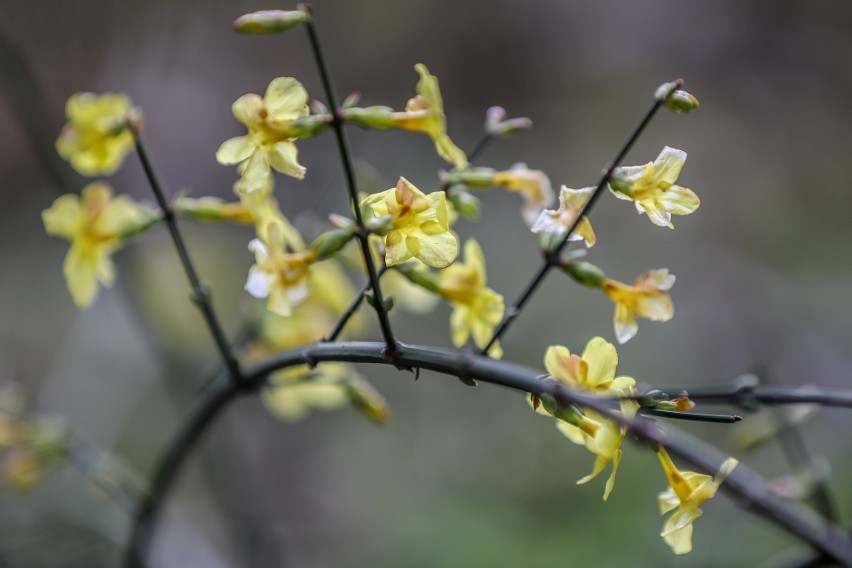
x=750, y=486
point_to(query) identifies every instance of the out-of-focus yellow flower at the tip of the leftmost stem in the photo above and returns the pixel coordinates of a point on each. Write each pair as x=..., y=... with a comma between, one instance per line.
x=95, y=140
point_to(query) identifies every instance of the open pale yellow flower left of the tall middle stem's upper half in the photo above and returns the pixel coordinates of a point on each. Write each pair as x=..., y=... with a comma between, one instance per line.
x=269, y=142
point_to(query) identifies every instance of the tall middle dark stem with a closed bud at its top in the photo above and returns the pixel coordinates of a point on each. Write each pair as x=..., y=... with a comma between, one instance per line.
x=351, y=185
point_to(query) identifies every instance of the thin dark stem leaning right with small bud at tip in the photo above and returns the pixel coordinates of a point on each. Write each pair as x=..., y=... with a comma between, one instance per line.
x=552, y=258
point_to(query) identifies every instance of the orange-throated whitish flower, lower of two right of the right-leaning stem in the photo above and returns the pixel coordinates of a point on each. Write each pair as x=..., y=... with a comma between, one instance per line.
x=647, y=298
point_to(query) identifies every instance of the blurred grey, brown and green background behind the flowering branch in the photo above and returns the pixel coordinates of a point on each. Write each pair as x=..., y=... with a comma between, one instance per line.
x=461, y=477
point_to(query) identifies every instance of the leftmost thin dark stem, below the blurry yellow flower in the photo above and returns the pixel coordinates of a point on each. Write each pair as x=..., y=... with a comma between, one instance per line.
x=201, y=295
